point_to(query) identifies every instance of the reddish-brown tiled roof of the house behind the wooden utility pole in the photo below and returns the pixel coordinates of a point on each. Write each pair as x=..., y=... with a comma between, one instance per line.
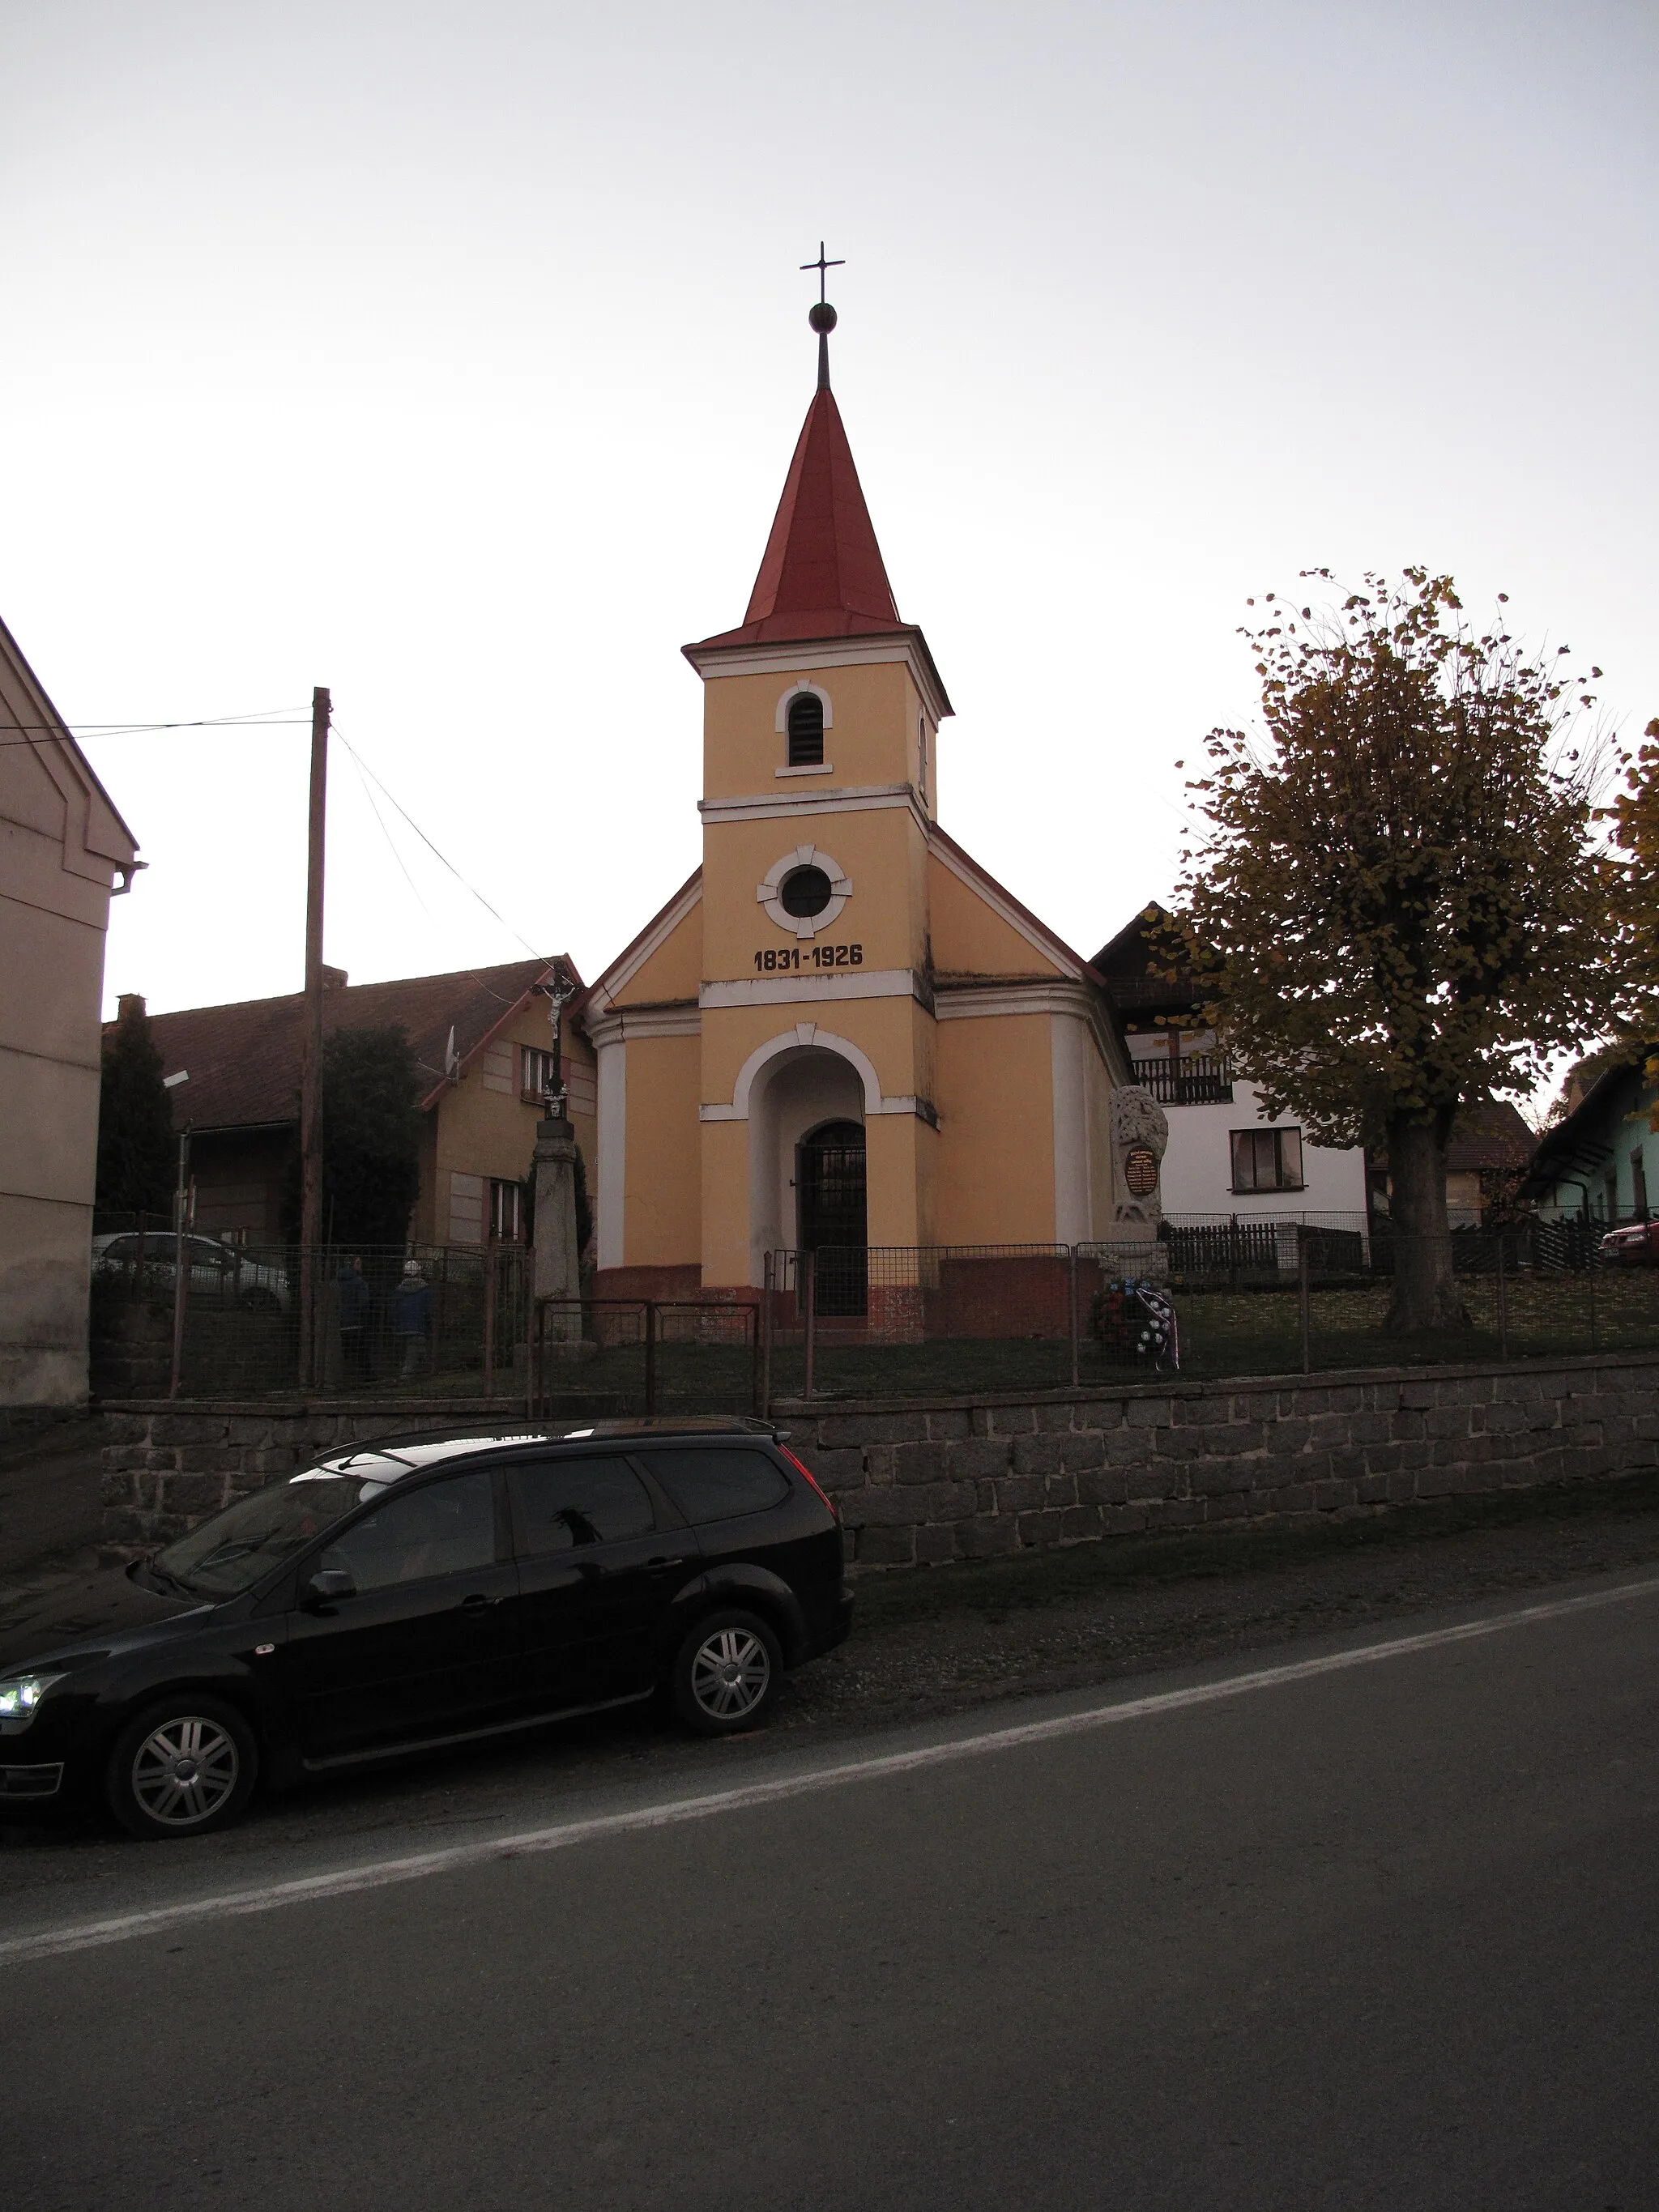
x=244, y=1058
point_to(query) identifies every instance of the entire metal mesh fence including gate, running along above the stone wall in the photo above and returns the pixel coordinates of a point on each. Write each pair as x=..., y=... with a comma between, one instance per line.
x=1202, y=1297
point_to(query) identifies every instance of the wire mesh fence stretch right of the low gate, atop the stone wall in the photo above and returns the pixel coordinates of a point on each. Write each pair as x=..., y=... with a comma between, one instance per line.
x=1204, y=1300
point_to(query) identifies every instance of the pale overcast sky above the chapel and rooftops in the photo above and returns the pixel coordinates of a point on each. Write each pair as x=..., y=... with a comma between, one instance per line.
x=452, y=357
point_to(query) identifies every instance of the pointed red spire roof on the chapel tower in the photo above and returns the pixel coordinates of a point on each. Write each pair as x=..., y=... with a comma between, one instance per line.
x=822, y=574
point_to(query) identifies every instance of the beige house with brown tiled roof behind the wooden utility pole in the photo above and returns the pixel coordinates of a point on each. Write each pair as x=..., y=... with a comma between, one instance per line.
x=481, y=1047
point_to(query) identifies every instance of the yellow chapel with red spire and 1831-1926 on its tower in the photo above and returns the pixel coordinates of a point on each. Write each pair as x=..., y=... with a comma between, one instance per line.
x=842, y=1032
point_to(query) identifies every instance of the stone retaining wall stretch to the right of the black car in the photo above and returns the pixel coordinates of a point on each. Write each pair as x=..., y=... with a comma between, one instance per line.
x=921, y=1485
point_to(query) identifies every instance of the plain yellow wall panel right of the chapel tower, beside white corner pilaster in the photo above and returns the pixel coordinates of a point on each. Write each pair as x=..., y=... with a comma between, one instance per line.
x=997, y=1176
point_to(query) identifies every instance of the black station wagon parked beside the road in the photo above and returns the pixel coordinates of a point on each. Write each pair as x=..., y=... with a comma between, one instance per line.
x=417, y=1594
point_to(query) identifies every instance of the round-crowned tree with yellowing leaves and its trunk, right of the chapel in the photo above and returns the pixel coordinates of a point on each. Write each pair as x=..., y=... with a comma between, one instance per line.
x=1399, y=899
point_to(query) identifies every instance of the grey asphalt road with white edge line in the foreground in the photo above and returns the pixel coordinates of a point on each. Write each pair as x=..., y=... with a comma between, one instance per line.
x=1364, y=1923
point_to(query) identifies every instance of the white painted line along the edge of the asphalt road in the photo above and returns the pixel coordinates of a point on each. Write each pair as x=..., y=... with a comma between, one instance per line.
x=379, y=1875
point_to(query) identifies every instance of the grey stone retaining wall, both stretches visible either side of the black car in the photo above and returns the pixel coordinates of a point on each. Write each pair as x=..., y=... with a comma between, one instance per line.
x=961, y=1481
